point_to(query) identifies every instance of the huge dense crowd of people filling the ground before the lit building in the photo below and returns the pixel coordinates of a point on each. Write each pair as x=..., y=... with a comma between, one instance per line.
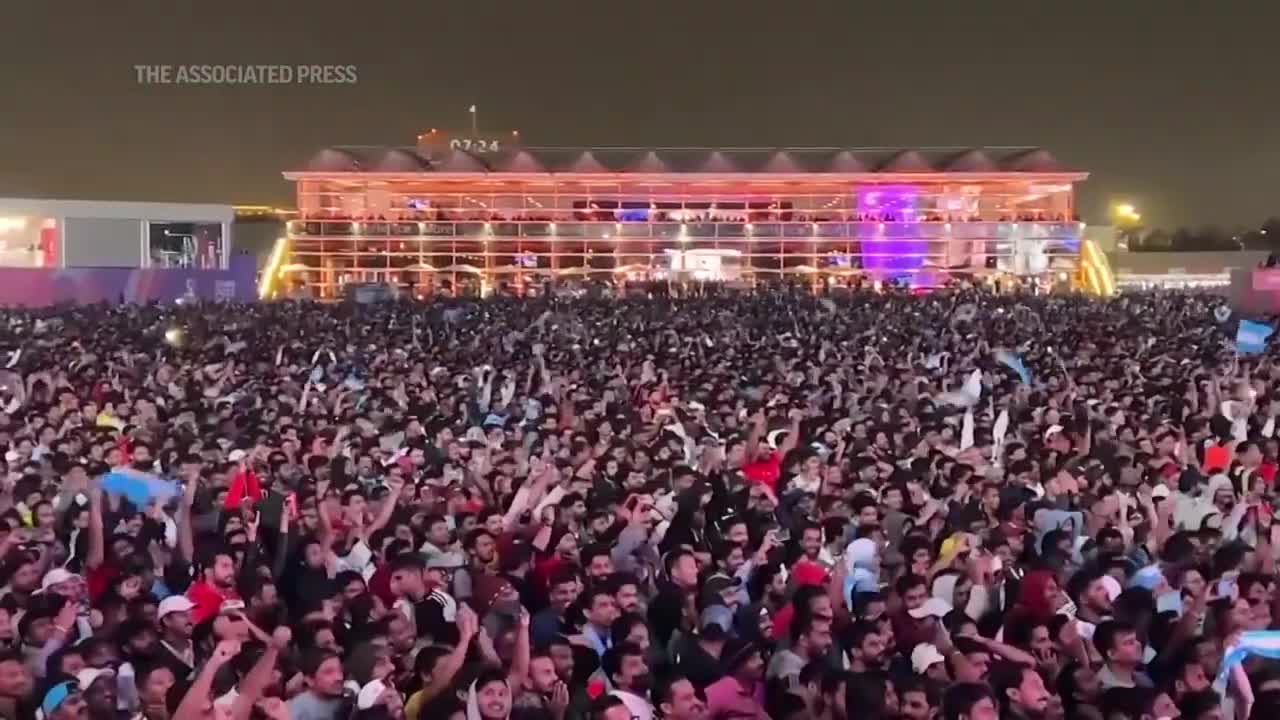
x=735, y=507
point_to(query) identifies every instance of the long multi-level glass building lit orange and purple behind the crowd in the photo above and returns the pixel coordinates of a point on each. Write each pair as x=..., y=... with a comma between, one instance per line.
x=472, y=216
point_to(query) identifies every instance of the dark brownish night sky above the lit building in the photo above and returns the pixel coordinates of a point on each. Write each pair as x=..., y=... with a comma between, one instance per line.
x=1171, y=106
